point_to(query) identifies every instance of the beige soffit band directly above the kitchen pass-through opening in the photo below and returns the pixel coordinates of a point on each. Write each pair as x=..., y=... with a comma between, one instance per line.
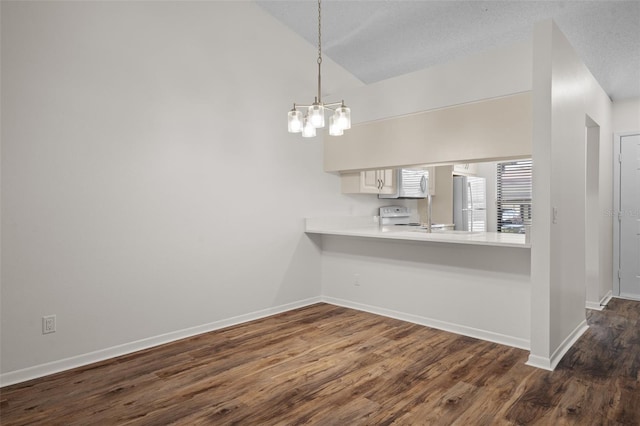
x=480, y=131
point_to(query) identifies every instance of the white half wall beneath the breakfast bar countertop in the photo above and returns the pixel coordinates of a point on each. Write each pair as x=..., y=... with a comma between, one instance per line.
x=478, y=291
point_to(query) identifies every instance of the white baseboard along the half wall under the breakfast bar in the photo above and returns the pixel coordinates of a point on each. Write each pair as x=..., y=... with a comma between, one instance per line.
x=433, y=323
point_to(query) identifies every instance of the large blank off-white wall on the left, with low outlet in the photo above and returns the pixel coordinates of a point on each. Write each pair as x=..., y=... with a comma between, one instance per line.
x=150, y=189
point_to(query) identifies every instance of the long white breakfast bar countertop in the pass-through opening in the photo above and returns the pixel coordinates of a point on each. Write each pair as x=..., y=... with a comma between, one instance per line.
x=367, y=227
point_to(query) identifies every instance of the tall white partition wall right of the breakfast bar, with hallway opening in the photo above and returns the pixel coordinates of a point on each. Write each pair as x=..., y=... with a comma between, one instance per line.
x=565, y=96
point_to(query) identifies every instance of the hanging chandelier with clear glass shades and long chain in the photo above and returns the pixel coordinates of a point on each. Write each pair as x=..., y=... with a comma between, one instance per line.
x=314, y=119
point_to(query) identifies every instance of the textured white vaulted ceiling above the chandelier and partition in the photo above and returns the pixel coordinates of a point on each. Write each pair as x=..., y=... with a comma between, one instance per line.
x=376, y=40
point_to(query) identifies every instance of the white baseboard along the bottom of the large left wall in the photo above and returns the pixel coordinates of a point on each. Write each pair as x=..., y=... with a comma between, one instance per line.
x=13, y=377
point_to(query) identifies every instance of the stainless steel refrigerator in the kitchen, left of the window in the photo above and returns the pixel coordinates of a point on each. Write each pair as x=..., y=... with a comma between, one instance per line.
x=469, y=203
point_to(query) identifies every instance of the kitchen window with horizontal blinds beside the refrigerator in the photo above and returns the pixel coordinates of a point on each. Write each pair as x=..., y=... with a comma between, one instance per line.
x=514, y=196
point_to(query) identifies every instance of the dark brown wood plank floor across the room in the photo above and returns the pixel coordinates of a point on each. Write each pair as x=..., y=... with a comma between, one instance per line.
x=334, y=366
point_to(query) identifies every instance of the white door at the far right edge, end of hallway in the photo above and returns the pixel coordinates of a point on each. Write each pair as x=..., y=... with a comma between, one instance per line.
x=627, y=216
